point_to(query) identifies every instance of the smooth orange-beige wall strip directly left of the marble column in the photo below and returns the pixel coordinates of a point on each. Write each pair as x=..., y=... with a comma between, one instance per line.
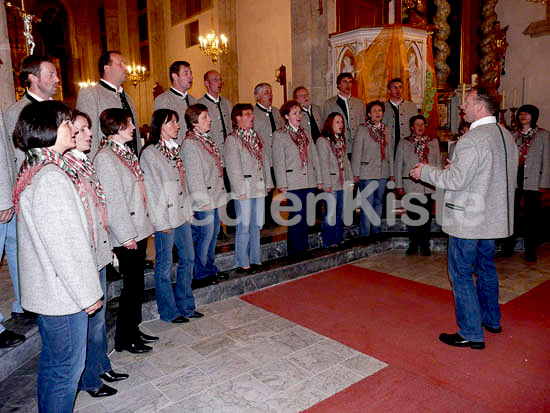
x=264, y=44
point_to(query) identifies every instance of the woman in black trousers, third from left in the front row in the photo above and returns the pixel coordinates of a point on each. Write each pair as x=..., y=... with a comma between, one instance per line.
x=119, y=172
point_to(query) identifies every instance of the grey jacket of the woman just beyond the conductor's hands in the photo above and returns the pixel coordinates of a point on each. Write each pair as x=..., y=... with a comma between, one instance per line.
x=406, y=159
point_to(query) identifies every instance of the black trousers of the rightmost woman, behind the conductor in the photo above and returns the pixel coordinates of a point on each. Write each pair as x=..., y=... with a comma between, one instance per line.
x=526, y=221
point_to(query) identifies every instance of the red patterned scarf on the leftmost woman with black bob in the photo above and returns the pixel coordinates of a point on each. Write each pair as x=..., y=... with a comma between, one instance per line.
x=35, y=160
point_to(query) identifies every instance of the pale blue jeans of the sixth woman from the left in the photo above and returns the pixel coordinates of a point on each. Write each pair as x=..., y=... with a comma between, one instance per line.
x=250, y=218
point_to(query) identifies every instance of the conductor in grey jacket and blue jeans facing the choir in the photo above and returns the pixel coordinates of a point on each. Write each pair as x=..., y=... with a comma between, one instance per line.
x=479, y=207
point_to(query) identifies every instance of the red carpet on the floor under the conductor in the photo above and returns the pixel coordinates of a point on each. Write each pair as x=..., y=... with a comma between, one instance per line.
x=398, y=321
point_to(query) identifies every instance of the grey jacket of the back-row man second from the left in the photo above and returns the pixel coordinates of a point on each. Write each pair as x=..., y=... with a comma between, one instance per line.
x=94, y=100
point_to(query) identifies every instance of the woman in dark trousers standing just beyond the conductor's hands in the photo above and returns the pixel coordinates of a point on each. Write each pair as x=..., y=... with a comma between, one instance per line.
x=413, y=149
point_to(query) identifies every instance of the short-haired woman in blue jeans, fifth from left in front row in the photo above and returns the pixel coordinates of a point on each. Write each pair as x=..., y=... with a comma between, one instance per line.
x=202, y=160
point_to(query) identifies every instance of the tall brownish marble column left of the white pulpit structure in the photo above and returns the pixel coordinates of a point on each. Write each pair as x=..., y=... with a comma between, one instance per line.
x=309, y=48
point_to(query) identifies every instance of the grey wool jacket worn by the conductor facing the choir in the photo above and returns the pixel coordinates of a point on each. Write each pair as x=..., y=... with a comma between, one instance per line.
x=479, y=185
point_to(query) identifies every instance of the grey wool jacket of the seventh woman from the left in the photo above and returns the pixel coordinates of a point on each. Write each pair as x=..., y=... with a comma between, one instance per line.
x=288, y=165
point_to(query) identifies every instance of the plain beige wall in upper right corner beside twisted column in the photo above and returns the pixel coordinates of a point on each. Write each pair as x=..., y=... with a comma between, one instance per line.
x=526, y=58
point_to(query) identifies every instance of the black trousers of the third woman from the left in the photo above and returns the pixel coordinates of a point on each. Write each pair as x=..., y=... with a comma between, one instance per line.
x=131, y=266
